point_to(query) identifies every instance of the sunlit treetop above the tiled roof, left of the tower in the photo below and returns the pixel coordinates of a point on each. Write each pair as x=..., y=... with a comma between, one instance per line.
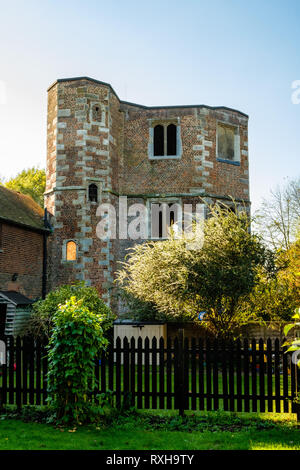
x=31, y=182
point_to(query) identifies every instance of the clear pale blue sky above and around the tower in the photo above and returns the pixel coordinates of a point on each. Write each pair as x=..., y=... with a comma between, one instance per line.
x=236, y=53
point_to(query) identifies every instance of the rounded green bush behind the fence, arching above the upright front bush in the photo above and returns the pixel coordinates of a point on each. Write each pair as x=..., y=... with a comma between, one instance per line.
x=41, y=321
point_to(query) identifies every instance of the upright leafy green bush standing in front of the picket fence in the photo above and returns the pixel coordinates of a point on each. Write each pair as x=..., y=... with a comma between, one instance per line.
x=76, y=340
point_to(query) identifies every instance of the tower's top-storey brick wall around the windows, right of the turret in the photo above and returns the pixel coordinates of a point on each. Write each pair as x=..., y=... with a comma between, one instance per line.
x=198, y=170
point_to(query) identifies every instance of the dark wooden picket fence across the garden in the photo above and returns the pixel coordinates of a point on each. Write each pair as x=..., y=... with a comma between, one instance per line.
x=174, y=374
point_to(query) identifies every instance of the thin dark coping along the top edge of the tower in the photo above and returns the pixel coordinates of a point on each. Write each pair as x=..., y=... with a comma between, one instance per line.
x=61, y=80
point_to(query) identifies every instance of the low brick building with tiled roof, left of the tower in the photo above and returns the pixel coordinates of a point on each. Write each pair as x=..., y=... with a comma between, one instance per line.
x=22, y=244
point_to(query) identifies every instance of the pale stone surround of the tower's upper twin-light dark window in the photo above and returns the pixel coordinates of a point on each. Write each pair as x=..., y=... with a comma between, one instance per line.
x=164, y=122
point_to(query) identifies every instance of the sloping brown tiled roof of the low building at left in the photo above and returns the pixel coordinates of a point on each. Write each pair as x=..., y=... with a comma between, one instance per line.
x=21, y=209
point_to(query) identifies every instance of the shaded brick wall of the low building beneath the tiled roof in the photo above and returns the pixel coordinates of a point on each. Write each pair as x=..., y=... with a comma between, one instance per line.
x=21, y=253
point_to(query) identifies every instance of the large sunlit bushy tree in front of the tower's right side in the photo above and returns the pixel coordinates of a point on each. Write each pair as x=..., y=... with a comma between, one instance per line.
x=181, y=281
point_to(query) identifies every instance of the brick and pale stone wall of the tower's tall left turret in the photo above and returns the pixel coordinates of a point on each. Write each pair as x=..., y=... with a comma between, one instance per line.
x=87, y=151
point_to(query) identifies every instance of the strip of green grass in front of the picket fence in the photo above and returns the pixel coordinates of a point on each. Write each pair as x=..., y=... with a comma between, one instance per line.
x=157, y=431
